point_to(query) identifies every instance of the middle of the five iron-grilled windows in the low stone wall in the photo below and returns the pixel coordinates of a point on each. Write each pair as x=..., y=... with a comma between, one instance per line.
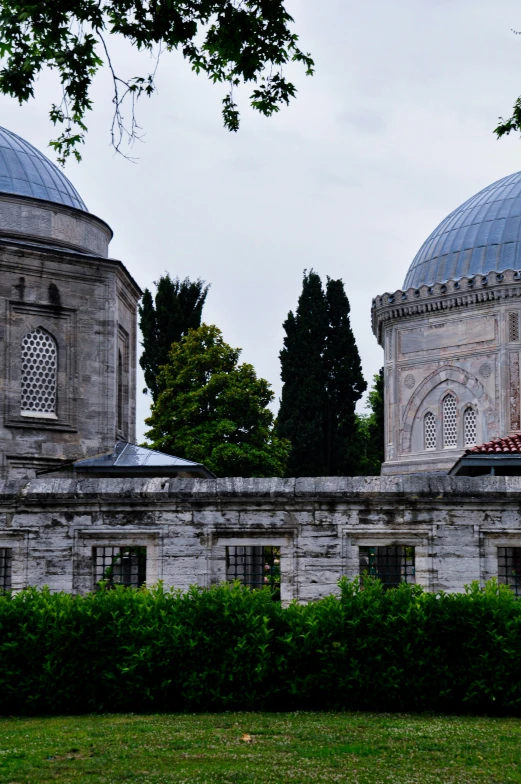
x=255, y=566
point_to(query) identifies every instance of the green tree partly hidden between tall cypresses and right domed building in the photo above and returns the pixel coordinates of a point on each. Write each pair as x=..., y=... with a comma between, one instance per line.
x=371, y=430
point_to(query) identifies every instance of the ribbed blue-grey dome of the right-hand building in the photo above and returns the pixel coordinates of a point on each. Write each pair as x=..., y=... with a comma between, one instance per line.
x=481, y=236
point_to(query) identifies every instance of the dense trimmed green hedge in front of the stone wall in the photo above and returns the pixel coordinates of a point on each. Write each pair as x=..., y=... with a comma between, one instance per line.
x=229, y=648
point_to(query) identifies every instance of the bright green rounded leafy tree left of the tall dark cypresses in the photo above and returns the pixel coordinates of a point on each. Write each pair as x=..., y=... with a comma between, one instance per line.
x=212, y=410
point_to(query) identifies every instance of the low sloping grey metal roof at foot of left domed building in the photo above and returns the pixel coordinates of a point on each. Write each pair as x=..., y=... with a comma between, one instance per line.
x=133, y=460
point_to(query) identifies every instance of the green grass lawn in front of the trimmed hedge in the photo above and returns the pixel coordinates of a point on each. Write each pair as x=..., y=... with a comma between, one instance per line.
x=288, y=747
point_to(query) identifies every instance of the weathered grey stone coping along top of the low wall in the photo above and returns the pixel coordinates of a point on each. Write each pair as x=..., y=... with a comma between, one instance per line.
x=222, y=493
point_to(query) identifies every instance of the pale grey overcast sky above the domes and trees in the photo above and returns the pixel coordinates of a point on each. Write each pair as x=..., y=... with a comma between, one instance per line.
x=392, y=133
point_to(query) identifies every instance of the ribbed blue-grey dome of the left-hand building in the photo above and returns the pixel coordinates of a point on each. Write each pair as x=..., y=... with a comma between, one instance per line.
x=24, y=171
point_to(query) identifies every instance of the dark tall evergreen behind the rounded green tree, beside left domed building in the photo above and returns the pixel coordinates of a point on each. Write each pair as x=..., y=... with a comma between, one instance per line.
x=177, y=308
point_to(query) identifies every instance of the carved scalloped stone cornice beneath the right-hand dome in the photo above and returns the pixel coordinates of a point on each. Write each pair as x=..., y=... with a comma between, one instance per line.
x=449, y=295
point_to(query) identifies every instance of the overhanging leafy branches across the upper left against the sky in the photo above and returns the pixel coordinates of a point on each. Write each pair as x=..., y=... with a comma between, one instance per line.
x=231, y=41
